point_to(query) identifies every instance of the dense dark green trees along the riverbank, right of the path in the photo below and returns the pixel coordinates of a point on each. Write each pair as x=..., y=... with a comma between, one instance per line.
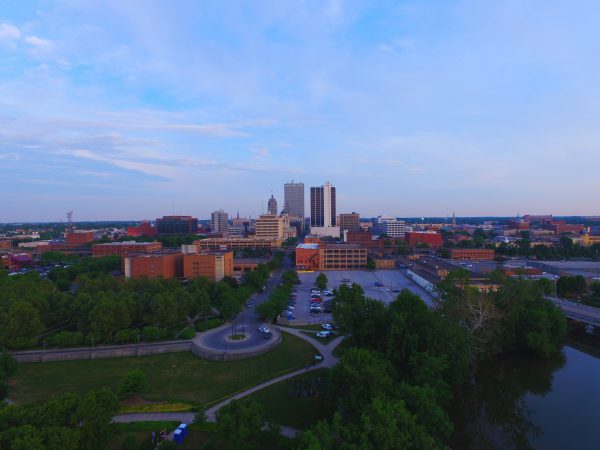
x=406, y=362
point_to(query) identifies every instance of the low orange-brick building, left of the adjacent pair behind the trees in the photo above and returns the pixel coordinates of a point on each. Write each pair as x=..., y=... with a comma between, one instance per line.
x=165, y=264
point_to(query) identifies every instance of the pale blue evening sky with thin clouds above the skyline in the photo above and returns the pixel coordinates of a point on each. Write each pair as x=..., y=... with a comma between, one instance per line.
x=136, y=109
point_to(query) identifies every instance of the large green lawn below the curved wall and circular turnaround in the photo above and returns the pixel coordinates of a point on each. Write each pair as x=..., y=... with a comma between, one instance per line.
x=172, y=377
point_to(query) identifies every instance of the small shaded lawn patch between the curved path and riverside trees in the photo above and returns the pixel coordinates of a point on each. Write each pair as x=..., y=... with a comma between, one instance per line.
x=284, y=403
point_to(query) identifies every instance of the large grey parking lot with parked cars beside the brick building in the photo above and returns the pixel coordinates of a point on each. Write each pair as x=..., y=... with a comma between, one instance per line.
x=387, y=281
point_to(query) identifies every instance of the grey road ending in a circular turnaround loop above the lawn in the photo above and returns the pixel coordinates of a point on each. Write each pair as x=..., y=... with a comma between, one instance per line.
x=246, y=323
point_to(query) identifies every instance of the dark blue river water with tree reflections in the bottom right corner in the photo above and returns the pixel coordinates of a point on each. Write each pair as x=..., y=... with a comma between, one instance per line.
x=526, y=403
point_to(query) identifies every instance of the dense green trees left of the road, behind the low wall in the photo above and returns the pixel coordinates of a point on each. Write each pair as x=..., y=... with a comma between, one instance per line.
x=83, y=304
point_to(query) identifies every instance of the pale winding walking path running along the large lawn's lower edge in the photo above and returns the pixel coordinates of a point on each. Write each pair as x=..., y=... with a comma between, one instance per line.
x=329, y=360
